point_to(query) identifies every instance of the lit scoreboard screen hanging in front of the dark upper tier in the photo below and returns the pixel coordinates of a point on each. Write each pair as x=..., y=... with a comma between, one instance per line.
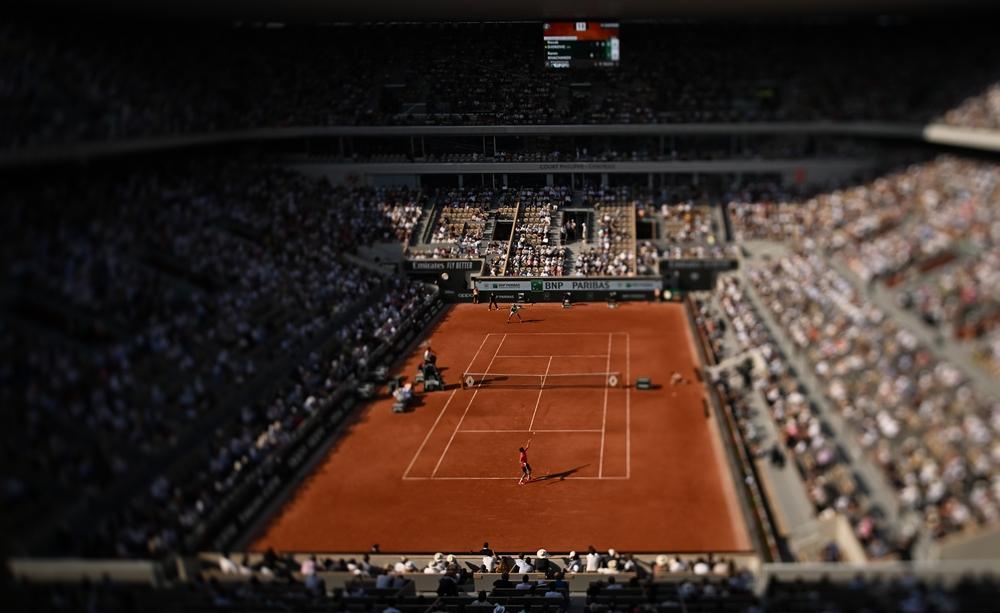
x=581, y=44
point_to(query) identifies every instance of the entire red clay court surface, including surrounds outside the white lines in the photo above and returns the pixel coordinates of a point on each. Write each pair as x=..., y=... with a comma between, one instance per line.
x=640, y=471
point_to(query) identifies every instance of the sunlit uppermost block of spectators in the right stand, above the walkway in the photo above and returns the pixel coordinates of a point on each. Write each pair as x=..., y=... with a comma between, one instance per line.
x=930, y=232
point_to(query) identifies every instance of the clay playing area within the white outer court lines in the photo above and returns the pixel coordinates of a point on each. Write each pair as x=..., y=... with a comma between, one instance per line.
x=567, y=392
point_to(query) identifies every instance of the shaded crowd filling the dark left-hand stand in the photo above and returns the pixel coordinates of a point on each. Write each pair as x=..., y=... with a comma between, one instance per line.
x=143, y=302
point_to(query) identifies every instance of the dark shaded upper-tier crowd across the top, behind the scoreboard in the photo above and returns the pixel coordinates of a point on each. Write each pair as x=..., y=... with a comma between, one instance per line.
x=66, y=83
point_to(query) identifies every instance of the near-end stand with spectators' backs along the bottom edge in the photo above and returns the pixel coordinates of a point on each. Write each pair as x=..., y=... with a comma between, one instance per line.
x=323, y=583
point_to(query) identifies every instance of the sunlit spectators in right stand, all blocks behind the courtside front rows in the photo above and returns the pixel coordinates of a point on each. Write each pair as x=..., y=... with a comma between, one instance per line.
x=927, y=236
